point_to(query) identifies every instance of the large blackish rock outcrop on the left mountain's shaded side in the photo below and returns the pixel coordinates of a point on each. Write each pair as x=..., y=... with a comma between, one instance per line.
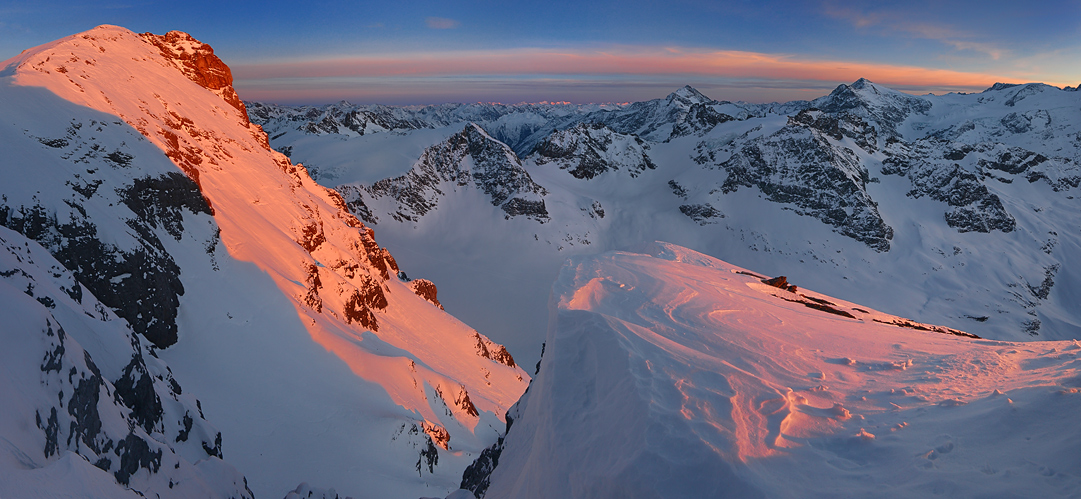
x=134, y=275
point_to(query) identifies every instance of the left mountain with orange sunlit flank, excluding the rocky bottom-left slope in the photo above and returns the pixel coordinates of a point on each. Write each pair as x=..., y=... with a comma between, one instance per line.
x=158, y=181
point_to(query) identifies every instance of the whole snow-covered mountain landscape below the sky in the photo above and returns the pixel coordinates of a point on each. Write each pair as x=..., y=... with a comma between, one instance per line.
x=210, y=298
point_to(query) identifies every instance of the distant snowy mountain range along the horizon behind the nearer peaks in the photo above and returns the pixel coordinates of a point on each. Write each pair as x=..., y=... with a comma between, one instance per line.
x=522, y=127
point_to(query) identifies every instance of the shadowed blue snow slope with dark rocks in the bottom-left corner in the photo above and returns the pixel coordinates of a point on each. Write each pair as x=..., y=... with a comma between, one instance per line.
x=83, y=392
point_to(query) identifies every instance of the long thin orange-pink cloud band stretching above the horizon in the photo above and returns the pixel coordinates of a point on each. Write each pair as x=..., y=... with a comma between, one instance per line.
x=618, y=61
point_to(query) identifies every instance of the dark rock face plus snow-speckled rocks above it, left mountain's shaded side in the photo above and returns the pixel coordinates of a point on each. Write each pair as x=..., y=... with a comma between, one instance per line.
x=130, y=272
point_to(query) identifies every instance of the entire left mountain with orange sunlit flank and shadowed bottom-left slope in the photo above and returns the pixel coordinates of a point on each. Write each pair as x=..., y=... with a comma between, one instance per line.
x=132, y=161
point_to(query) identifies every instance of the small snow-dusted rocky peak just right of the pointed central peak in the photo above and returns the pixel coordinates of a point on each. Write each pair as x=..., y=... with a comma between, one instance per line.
x=591, y=150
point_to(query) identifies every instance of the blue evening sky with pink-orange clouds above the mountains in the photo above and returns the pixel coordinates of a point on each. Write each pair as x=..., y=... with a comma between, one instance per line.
x=610, y=51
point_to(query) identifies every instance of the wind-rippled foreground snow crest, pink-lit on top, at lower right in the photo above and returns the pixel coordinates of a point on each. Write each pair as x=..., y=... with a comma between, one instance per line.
x=672, y=374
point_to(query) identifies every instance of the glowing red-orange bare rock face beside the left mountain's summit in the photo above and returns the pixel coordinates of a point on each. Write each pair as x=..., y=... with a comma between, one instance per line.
x=197, y=61
